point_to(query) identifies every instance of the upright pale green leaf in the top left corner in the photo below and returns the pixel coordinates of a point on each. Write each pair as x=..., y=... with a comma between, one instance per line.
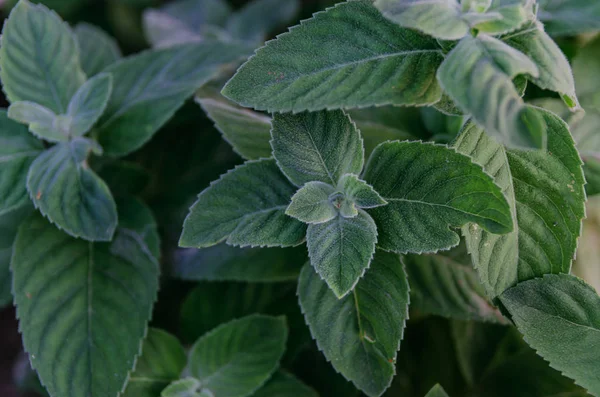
x=39, y=58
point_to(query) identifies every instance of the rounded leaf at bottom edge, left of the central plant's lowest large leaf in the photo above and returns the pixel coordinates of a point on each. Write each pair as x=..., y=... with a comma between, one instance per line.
x=237, y=358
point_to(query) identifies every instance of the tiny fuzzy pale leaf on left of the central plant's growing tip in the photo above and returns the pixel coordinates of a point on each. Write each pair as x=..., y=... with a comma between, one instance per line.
x=312, y=203
